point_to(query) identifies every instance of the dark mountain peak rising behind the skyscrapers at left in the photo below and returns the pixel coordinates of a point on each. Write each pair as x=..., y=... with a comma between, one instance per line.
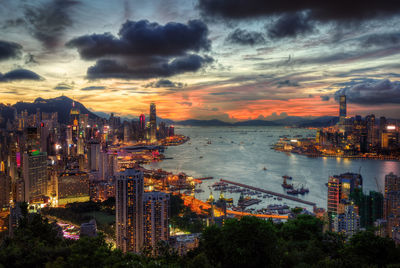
x=61, y=104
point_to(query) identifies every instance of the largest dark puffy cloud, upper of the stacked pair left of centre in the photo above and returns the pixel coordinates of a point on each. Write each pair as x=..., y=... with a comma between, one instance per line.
x=143, y=38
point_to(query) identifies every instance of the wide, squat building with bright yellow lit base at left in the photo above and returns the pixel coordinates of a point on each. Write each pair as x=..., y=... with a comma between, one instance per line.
x=73, y=186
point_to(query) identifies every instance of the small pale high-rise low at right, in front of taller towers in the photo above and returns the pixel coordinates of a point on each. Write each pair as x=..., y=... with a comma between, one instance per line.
x=348, y=222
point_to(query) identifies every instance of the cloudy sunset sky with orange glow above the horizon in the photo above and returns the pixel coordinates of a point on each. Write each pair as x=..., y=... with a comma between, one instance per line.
x=204, y=59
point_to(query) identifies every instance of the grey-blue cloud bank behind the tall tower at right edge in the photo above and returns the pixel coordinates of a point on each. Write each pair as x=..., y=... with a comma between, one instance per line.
x=371, y=91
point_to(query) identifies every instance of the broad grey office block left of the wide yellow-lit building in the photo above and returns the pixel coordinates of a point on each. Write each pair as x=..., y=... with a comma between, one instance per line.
x=35, y=175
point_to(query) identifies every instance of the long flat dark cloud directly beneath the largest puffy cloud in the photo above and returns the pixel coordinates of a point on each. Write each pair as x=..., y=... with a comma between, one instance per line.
x=106, y=68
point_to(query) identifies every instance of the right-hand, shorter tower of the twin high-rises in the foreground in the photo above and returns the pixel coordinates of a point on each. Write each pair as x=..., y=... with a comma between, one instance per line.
x=155, y=218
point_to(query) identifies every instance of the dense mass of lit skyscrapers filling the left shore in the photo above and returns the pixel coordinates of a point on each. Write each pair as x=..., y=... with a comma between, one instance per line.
x=50, y=164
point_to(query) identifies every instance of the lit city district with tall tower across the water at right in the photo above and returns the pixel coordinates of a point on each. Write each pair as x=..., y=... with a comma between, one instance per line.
x=352, y=137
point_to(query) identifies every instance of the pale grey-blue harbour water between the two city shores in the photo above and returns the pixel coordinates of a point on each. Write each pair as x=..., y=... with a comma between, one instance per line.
x=240, y=154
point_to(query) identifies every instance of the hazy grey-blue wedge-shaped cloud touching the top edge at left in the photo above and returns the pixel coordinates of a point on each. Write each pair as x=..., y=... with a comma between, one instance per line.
x=48, y=21
